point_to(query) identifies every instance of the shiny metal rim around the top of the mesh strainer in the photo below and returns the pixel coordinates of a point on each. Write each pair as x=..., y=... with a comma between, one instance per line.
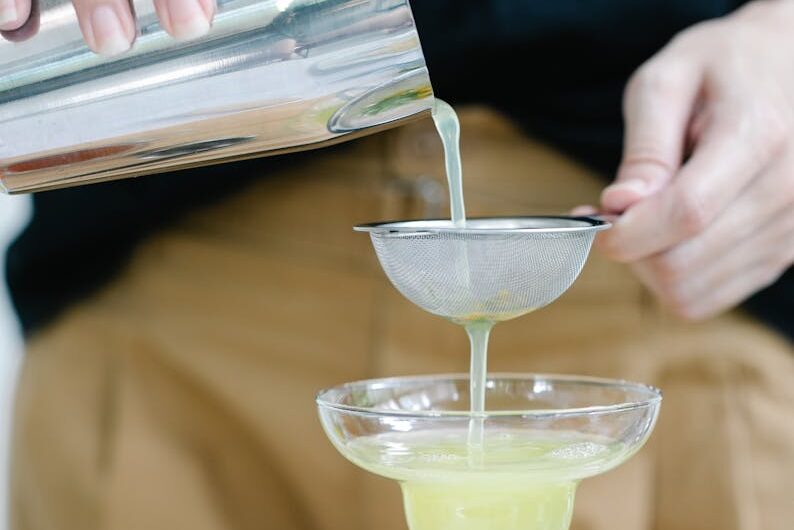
x=589, y=224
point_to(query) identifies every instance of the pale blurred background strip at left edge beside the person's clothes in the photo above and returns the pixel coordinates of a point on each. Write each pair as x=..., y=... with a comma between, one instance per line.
x=14, y=213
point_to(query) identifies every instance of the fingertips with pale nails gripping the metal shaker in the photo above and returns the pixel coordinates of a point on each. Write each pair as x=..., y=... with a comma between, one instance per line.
x=108, y=26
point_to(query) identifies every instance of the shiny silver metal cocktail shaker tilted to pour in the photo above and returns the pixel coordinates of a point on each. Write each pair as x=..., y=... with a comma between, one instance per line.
x=271, y=76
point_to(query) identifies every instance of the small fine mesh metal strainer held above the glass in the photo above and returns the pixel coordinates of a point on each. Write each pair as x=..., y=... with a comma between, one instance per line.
x=492, y=269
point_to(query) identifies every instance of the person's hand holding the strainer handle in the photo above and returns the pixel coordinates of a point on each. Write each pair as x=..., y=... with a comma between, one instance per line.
x=705, y=191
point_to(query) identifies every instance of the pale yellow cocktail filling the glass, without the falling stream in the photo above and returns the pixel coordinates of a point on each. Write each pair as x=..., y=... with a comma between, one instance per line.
x=518, y=481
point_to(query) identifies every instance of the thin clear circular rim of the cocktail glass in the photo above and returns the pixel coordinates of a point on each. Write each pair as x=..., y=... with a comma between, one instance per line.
x=654, y=396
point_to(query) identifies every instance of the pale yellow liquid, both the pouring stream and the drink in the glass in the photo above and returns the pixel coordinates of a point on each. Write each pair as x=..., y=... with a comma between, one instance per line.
x=476, y=480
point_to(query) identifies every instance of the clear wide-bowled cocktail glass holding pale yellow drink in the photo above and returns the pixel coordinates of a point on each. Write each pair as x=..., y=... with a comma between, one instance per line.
x=543, y=434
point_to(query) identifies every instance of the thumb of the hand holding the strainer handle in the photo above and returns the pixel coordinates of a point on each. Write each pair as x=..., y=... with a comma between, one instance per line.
x=658, y=103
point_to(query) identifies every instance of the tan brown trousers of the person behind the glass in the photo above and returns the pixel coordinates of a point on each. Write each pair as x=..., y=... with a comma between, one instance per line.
x=181, y=396
